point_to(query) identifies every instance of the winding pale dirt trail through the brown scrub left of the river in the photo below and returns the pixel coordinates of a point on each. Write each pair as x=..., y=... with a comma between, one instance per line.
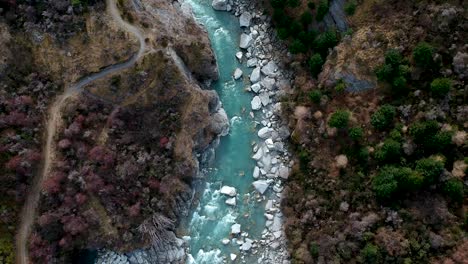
x=28, y=213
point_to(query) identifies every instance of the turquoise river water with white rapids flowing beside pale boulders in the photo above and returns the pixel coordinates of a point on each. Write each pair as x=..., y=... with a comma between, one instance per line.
x=212, y=219
